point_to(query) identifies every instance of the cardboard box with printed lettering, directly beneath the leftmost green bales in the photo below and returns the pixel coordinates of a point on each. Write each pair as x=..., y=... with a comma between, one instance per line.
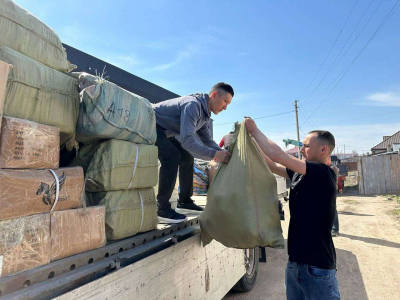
x=28, y=145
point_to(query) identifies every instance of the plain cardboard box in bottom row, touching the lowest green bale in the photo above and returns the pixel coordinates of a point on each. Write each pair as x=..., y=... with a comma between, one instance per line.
x=77, y=230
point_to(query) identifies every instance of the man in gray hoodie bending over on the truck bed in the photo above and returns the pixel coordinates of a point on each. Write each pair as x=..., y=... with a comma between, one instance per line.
x=184, y=117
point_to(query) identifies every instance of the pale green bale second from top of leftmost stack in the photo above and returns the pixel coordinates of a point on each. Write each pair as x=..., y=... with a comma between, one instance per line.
x=40, y=94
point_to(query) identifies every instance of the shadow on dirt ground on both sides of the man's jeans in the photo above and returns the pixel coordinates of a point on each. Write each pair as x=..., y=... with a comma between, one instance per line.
x=270, y=282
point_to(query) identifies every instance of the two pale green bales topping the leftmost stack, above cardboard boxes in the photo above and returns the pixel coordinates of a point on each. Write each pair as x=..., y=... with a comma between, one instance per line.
x=37, y=88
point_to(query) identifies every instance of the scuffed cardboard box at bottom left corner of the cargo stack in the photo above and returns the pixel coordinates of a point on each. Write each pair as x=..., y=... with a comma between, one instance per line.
x=24, y=243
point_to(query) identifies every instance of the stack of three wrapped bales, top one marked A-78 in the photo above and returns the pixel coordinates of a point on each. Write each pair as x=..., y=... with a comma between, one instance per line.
x=119, y=158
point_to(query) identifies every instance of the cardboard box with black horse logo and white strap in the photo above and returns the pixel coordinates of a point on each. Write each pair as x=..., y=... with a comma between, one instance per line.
x=28, y=192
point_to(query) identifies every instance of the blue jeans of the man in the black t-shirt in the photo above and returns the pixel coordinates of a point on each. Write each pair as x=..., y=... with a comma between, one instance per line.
x=305, y=282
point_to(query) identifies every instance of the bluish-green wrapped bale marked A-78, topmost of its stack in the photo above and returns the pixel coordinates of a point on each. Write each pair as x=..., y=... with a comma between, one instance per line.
x=110, y=112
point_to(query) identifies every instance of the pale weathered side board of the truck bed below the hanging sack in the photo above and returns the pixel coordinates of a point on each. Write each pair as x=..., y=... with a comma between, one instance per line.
x=184, y=271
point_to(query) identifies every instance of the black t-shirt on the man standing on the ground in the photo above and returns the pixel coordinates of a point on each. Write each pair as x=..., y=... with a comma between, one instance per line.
x=312, y=205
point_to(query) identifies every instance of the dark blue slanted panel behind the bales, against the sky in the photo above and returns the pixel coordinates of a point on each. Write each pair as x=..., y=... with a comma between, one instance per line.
x=89, y=64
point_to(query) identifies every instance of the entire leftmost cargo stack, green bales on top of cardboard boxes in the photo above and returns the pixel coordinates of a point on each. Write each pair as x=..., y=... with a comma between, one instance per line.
x=41, y=218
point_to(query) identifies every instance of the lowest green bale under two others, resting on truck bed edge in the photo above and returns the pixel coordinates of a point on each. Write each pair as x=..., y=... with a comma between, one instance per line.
x=127, y=212
